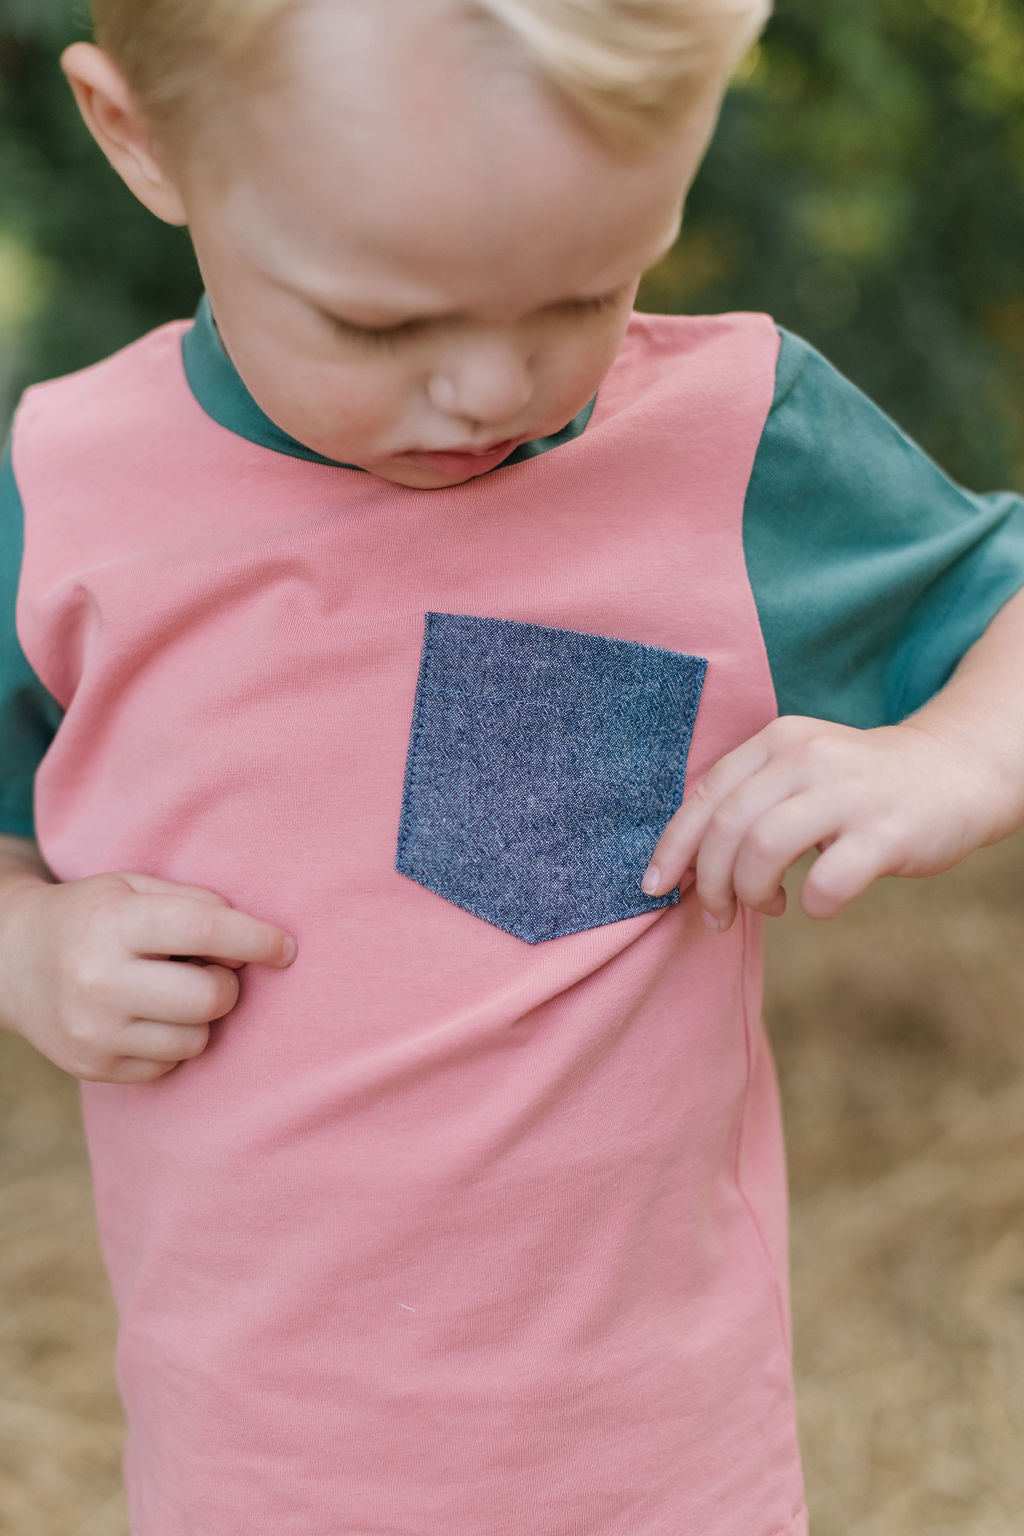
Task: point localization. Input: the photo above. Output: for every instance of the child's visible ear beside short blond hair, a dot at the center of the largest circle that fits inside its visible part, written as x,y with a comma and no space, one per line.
121,130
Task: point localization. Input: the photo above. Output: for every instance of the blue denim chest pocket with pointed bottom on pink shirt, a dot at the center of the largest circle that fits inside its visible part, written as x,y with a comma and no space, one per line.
543,769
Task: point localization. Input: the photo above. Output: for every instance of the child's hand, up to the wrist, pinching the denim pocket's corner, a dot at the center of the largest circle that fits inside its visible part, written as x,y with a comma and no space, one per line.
900,799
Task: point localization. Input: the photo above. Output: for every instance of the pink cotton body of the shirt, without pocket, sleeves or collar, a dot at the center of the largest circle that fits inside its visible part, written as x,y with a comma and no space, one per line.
446,1234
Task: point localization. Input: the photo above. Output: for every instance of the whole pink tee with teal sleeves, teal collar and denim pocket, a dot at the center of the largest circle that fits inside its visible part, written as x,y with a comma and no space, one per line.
475,1219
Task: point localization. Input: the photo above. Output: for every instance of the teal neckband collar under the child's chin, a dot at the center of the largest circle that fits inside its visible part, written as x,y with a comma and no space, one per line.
217,386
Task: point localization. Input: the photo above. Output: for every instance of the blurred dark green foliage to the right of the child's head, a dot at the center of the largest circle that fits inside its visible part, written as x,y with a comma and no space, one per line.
867,188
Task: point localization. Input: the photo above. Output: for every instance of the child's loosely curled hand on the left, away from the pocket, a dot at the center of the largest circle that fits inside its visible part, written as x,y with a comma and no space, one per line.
94,973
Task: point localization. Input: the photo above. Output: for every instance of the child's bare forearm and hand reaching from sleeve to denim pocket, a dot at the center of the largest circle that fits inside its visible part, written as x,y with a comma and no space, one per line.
908,799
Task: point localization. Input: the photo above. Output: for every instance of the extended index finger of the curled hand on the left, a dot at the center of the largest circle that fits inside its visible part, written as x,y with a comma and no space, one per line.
165,925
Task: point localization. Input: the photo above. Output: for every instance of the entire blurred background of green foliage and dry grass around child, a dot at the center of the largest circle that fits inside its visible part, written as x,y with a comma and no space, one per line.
867,188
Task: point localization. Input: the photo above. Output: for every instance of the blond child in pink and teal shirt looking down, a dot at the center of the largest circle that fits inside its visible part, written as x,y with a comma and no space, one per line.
388,607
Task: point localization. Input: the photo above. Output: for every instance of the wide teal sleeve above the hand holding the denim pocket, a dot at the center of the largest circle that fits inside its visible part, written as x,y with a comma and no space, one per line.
871,569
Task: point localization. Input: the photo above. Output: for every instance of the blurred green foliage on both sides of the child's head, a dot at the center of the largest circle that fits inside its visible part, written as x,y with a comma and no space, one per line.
867,188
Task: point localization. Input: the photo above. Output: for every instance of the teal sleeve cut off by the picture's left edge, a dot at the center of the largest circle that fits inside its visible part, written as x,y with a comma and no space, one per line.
30,715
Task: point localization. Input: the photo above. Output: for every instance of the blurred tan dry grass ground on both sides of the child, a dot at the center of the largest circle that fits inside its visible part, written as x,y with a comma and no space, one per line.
900,1042
